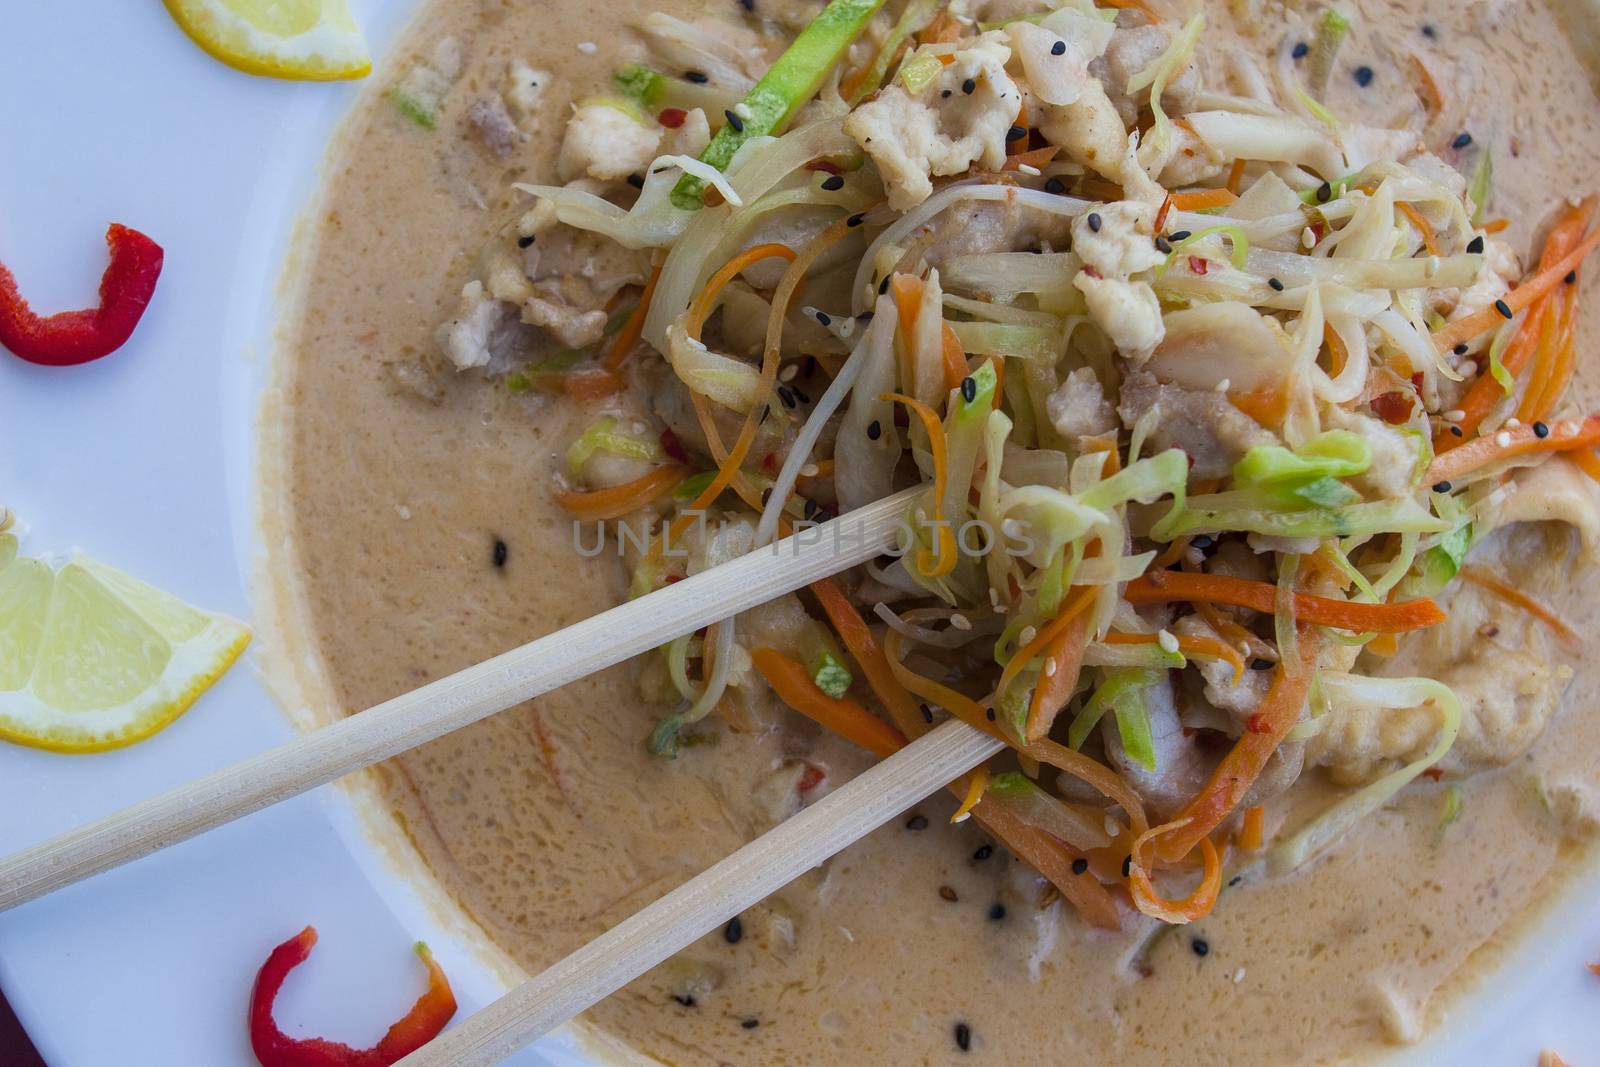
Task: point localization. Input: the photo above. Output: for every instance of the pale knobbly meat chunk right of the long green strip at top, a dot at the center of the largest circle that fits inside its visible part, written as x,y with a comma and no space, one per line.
956,121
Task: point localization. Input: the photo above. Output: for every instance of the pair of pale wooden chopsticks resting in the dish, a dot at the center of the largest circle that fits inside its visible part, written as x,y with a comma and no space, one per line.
548,663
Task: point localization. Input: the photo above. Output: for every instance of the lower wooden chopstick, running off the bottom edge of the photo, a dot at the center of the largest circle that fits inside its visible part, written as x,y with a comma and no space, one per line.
710,900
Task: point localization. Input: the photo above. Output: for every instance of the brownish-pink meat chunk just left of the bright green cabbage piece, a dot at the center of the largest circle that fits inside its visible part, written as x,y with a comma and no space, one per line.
1204,425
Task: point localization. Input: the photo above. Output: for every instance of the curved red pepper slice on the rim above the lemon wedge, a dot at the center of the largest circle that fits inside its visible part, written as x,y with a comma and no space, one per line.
73,338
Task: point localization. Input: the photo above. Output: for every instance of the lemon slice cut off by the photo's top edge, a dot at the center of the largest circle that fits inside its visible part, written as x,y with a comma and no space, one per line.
310,41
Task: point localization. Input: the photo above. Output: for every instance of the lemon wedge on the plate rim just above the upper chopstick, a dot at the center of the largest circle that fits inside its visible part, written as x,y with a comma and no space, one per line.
92,658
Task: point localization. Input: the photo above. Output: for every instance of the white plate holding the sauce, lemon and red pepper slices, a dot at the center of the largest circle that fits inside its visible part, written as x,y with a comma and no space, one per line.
145,460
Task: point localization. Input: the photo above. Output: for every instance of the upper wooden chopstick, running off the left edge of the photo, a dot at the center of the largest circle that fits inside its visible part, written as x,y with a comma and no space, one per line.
439,708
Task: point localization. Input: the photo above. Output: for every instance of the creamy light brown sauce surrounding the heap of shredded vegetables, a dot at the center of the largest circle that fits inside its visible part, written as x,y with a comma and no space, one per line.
550,823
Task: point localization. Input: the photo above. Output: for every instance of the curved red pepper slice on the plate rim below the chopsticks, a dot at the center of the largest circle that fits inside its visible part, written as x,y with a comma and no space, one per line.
274,1049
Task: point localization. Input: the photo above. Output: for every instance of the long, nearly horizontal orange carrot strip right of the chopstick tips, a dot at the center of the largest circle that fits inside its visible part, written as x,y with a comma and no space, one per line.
1242,593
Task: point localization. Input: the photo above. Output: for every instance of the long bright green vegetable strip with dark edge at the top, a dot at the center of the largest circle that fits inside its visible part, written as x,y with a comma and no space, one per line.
790,84
